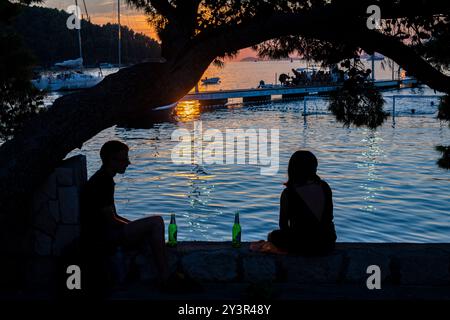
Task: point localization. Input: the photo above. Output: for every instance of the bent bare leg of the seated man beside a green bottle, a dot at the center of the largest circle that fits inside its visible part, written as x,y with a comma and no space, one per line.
150,229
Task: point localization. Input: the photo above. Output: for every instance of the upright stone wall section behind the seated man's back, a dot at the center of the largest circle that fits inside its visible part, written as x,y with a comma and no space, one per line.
55,218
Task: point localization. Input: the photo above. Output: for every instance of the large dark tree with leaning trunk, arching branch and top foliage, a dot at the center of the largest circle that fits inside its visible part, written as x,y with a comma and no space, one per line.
196,32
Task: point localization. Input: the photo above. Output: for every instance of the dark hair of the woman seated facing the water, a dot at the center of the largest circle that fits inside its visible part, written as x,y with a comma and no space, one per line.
302,168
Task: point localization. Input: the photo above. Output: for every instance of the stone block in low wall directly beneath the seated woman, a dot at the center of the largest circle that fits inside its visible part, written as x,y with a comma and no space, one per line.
324,269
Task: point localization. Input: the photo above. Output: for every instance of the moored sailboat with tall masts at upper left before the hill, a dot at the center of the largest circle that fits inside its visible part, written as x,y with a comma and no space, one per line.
73,77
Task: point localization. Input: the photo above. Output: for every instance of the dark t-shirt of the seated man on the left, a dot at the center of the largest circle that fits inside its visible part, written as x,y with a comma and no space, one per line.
99,228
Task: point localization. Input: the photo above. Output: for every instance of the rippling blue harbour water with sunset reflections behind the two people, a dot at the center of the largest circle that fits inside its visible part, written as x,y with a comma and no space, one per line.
386,184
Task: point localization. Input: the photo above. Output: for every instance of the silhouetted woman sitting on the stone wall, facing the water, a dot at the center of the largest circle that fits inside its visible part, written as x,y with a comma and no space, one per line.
306,210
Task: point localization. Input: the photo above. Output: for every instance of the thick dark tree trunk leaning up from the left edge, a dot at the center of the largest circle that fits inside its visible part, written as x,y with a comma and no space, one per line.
124,97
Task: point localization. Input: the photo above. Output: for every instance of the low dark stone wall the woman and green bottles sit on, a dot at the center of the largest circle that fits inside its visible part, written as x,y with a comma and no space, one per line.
400,264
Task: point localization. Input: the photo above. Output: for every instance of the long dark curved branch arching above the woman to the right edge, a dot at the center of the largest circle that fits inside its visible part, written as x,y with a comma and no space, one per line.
329,26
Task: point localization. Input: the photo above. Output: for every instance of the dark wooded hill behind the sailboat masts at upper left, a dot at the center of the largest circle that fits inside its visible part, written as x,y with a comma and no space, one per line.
45,33
